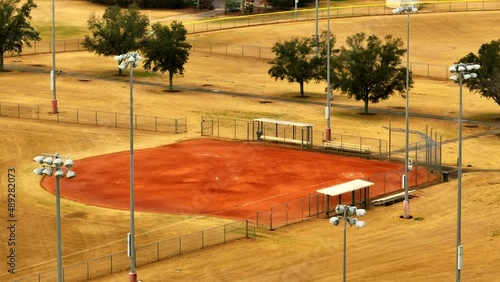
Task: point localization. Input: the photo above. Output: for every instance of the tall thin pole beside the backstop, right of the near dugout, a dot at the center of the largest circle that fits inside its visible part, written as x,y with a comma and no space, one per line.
406,202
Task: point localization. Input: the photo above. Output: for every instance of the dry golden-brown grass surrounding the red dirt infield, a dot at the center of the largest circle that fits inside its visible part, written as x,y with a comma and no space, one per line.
388,248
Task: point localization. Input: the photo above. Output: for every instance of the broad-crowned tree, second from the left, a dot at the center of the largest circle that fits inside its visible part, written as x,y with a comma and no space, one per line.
116,32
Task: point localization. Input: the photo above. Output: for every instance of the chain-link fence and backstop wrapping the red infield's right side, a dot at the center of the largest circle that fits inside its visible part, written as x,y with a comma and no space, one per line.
425,155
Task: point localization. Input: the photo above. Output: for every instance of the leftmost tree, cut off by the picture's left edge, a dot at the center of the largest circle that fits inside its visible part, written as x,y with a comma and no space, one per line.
15,27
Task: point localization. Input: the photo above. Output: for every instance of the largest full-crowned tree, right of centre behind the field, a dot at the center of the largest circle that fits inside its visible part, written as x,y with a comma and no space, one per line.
370,70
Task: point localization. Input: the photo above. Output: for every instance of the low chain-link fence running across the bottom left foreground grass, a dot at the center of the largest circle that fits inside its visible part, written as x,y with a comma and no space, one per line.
117,262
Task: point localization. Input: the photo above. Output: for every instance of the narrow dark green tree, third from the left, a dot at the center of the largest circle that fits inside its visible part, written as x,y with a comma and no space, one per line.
167,50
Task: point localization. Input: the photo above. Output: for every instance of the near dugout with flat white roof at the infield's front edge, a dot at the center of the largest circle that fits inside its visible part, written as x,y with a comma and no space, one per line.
351,186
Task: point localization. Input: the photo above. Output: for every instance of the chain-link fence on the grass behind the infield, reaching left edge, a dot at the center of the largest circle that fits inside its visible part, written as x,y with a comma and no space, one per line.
92,117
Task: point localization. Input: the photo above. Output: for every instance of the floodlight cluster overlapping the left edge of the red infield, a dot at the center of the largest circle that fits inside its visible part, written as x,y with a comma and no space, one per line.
53,164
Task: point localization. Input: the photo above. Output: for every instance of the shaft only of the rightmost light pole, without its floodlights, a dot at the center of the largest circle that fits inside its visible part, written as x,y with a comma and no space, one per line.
459,189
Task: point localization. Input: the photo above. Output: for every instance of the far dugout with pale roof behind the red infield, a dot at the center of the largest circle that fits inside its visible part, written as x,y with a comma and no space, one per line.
266,129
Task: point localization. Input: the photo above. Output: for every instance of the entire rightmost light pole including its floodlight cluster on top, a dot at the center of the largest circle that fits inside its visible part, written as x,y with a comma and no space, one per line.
461,72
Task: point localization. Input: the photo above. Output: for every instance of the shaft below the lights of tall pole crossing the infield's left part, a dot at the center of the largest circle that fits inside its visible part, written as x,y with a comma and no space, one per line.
133,274
